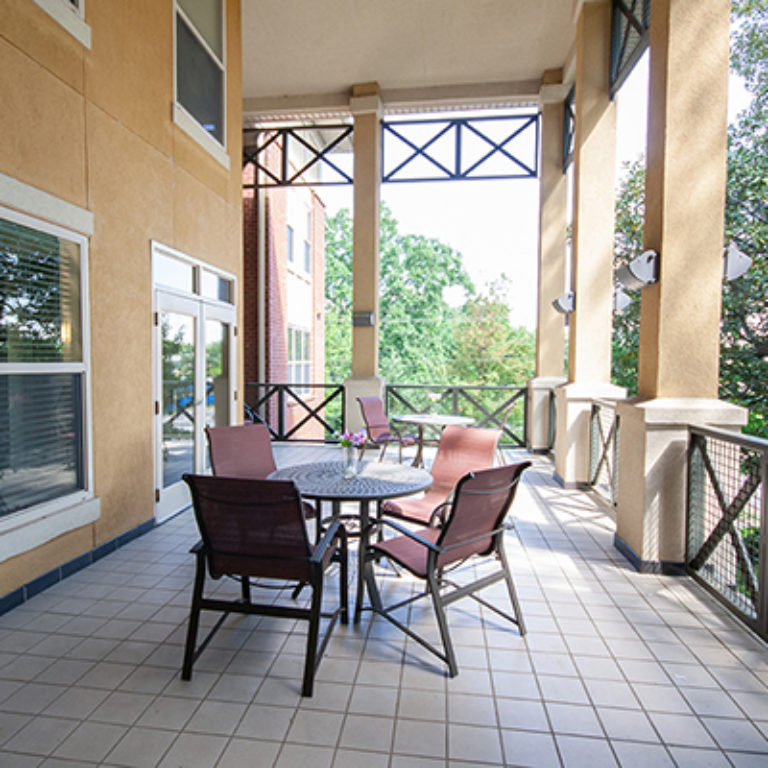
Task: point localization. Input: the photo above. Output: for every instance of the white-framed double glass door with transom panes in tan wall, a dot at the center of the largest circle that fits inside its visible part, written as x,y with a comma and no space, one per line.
194,375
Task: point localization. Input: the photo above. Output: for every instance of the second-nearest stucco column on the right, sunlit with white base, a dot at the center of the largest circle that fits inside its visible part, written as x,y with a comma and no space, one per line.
590,324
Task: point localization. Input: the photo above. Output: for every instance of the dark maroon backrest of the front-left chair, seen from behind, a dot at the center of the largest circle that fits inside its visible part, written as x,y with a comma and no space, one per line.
251,527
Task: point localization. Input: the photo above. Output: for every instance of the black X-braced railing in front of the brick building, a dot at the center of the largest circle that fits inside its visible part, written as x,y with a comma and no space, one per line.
306,412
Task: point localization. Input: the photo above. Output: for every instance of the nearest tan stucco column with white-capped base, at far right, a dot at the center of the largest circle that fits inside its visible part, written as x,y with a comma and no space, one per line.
680,314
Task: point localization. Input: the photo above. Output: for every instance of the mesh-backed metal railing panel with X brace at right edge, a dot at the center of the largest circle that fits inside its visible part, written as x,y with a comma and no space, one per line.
727,515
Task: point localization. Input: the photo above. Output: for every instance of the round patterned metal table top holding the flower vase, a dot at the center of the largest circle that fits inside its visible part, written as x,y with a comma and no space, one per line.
374,481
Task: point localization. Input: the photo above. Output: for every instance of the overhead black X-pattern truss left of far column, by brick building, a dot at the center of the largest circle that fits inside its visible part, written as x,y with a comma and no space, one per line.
298,155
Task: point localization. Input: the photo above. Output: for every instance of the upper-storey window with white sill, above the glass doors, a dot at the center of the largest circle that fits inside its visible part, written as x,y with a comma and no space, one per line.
200,70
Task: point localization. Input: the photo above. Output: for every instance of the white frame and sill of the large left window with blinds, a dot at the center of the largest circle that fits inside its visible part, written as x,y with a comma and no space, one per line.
28,528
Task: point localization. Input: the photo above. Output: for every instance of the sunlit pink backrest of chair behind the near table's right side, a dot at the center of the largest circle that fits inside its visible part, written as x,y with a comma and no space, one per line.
461,450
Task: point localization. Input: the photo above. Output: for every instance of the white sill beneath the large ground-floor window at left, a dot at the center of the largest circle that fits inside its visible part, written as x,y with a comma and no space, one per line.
25,531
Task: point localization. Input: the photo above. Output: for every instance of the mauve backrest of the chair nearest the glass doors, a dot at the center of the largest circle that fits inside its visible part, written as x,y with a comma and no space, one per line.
244,451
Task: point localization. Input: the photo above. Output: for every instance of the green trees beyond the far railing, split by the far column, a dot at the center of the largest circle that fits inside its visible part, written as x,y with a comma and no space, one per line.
422,338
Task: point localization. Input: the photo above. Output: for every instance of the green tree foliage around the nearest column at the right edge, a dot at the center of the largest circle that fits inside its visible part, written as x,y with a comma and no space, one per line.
744,336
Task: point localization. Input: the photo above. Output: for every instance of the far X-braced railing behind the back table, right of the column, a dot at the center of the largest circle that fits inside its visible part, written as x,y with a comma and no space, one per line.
497,407
